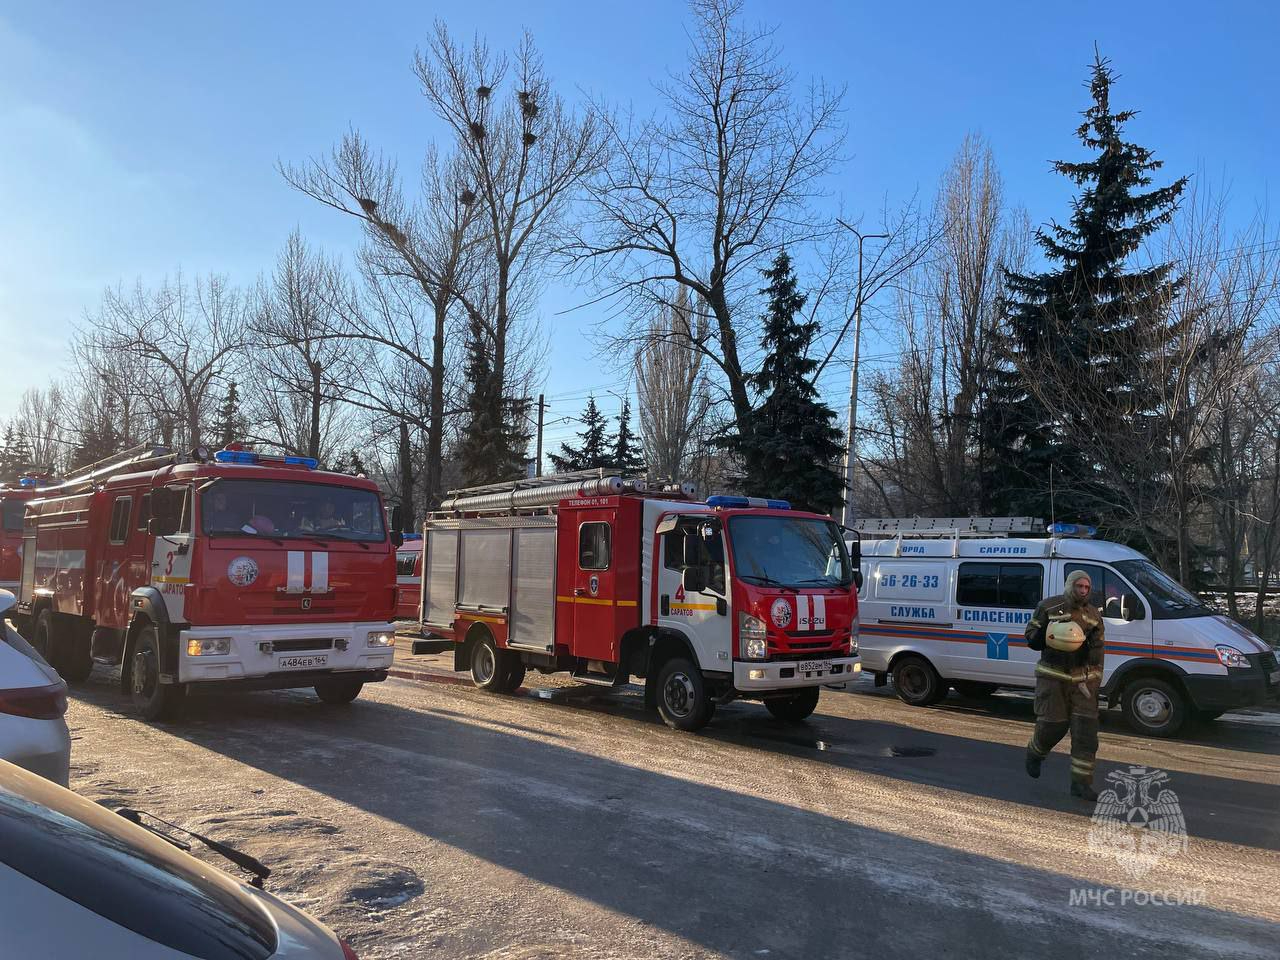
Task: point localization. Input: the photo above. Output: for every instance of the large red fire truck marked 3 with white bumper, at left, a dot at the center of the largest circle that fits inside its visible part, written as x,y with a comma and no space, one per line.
211,573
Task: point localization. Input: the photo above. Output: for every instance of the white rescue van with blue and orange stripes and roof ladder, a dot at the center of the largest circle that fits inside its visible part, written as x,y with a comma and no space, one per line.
945,602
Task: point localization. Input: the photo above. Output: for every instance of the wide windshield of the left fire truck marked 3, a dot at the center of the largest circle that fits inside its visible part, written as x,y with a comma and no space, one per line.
290,510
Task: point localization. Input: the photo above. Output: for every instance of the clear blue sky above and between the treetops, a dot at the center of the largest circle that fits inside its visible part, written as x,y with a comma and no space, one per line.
139,139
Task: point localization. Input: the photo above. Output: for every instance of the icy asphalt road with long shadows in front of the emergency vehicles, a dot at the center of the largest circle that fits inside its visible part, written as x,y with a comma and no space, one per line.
431,820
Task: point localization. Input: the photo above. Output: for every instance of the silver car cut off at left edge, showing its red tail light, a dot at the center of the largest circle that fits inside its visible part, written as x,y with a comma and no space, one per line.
33,702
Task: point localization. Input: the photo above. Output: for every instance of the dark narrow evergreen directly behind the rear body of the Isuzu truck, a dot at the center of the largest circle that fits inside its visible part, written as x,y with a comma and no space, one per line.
496,438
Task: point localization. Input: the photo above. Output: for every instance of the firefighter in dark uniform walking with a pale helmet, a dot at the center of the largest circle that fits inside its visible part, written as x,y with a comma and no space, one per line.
1068,633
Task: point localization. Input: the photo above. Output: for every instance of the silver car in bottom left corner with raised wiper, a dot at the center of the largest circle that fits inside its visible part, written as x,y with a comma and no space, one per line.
81,881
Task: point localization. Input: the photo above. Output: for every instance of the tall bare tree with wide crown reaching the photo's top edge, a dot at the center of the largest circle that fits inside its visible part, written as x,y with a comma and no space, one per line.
706,195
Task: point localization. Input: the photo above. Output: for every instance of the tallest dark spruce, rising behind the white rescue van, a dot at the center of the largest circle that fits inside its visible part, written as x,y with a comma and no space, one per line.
1084,321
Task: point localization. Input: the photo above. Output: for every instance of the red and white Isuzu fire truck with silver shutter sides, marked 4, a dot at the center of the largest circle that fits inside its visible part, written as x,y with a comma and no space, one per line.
732,598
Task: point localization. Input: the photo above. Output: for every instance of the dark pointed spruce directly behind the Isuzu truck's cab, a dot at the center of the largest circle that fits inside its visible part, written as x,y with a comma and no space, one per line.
793,450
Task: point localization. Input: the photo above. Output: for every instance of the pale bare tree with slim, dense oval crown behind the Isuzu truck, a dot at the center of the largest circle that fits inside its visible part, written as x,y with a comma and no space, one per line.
674,397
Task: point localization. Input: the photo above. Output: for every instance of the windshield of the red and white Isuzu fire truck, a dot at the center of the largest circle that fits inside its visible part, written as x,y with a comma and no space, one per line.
789,552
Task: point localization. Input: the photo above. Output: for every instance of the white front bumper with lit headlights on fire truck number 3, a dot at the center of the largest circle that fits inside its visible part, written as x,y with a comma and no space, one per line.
281,652
